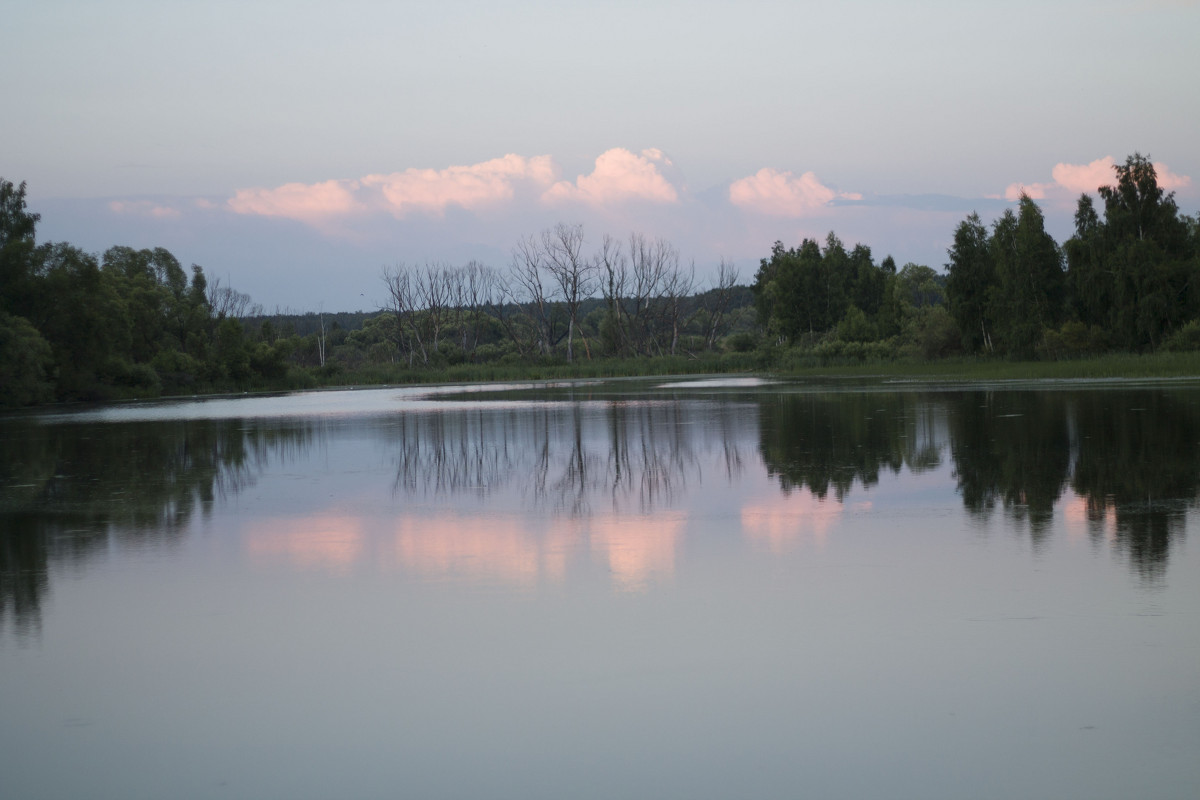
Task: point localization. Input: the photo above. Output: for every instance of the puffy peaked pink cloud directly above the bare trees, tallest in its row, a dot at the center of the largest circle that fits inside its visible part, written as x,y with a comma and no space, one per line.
620,176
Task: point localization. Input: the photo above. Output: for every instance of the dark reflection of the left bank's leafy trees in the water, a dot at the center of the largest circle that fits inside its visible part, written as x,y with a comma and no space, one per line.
69,491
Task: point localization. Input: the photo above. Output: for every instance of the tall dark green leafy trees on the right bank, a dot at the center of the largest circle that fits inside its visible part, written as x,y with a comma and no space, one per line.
1130,281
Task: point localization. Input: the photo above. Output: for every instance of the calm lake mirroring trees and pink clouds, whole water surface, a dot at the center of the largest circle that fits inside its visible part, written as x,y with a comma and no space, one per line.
706,588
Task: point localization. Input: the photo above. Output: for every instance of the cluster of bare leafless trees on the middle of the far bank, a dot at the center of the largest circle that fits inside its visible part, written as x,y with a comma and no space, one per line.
628,299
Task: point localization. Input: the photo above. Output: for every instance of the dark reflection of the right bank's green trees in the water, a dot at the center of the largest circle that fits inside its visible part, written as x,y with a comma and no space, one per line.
1131,455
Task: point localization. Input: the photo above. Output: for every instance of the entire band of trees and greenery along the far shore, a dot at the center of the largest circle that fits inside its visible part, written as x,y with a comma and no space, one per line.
1120,299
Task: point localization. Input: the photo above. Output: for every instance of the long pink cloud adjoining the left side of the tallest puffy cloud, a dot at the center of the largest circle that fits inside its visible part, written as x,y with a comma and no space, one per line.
470,187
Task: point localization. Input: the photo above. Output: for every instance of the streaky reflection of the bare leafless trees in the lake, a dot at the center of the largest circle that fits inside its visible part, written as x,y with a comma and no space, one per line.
568,458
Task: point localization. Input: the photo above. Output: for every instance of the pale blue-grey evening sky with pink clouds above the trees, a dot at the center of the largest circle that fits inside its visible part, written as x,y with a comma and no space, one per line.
296,149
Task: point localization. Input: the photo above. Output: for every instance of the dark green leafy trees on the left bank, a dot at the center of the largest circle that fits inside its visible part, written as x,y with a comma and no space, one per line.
130,323
